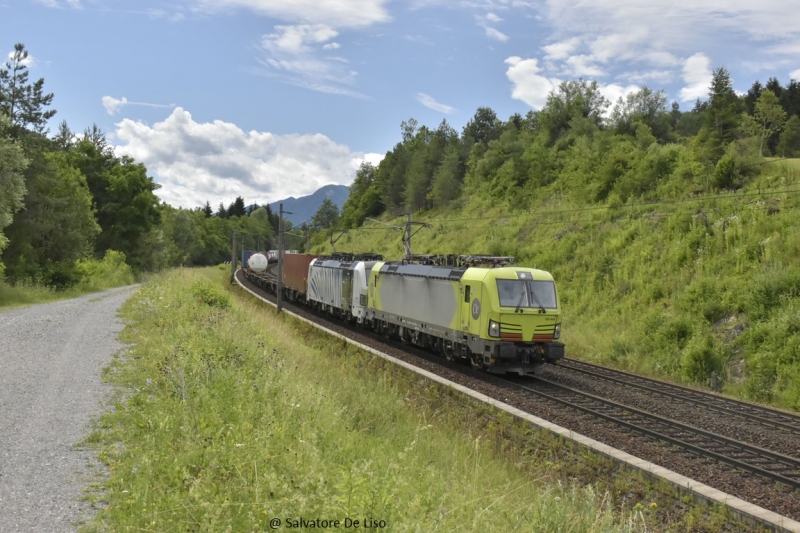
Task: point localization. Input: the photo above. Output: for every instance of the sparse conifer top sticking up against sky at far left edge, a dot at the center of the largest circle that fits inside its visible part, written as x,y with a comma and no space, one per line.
21,101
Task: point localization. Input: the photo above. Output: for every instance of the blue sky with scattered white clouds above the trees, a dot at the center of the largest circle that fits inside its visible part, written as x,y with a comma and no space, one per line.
267,99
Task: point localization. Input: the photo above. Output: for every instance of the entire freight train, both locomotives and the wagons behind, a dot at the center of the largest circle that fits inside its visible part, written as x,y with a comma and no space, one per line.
500,318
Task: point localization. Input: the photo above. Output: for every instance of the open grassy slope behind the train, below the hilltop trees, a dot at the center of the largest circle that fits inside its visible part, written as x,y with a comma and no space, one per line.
679,289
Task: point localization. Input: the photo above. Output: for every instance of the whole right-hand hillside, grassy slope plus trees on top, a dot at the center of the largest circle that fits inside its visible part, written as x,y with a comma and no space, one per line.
672,234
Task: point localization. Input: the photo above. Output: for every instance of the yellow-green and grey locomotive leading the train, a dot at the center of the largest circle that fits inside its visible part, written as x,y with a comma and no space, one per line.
501,318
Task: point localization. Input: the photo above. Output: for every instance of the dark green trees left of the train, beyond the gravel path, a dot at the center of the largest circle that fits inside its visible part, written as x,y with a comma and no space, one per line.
67,198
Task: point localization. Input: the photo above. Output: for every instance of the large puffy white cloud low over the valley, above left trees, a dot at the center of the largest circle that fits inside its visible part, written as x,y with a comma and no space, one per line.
217,161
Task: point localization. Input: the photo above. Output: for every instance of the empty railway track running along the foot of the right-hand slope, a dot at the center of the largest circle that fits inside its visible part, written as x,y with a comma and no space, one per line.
755,414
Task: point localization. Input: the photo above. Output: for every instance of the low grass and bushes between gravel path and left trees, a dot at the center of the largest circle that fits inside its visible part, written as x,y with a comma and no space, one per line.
96,275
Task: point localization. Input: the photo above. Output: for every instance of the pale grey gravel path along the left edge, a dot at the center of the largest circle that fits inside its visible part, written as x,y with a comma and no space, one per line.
51,357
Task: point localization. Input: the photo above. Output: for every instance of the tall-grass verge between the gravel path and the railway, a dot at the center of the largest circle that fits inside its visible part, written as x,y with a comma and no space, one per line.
229,416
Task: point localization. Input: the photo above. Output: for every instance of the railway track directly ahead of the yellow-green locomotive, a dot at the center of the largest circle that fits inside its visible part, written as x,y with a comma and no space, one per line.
739,455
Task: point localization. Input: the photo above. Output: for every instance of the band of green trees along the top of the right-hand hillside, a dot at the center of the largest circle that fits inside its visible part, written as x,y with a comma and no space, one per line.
637,148
